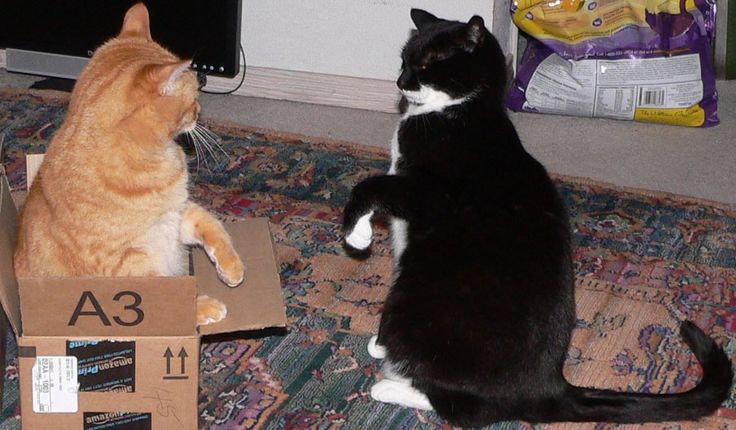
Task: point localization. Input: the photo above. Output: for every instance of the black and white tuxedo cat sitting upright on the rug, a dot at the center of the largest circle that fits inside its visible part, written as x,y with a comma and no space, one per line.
479,318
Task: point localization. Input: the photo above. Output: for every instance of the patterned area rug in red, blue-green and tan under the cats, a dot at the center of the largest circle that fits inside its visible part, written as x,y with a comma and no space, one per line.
644,261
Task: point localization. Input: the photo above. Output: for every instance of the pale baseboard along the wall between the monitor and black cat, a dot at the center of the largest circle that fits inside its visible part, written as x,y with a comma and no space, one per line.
305,87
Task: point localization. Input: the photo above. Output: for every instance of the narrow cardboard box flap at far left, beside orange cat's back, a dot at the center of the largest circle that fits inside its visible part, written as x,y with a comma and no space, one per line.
8,231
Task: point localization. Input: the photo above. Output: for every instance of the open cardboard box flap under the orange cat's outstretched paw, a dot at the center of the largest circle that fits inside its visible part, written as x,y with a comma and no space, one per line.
258,302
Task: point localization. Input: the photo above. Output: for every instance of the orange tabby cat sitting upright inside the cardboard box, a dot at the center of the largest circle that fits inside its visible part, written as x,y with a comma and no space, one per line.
111,197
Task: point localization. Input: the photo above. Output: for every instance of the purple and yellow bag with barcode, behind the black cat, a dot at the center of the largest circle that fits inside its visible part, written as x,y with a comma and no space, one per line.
642,60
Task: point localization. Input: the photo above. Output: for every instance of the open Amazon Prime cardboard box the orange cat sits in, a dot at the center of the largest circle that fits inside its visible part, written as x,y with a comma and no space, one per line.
123,353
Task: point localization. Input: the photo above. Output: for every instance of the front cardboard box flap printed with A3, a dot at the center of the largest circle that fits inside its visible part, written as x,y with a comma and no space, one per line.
109,307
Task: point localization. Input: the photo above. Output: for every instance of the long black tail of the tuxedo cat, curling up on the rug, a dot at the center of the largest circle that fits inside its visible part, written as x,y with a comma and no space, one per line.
586,404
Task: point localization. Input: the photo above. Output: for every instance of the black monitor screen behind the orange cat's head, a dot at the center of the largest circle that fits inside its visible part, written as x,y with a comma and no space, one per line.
206,31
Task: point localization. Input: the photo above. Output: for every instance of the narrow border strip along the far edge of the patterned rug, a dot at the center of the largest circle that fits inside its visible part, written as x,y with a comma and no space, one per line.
730,209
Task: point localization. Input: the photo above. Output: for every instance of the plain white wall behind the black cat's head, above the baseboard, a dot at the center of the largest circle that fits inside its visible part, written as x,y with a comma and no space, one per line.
359,38
